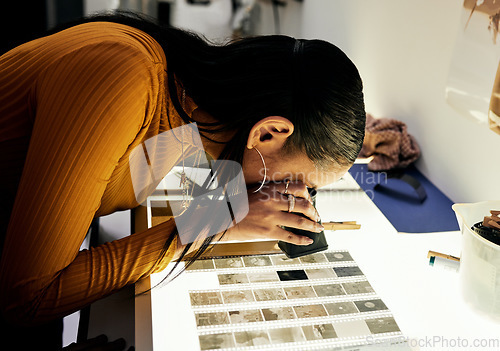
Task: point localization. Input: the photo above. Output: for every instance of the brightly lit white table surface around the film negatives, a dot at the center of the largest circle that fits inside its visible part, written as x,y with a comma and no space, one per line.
426,301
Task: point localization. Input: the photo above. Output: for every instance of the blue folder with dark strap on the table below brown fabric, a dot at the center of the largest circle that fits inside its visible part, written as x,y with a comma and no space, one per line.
408,199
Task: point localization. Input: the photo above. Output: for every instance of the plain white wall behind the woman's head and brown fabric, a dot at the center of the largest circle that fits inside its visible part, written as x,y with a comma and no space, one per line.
403,50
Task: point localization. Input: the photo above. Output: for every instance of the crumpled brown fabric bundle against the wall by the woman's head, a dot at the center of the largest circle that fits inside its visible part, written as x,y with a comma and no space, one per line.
389,142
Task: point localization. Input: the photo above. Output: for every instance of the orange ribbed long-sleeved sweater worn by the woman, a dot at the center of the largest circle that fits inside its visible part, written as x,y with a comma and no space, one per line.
72,107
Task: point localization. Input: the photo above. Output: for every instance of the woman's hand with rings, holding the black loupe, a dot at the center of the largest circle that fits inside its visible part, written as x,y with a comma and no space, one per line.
268,212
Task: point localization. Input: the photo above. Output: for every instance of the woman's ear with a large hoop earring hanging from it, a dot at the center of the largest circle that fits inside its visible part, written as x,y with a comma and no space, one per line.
270,133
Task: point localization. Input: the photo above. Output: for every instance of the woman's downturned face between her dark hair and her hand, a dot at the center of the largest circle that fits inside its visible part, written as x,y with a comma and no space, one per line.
296,167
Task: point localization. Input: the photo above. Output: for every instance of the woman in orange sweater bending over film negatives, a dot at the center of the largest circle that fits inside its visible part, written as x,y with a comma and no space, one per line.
73,106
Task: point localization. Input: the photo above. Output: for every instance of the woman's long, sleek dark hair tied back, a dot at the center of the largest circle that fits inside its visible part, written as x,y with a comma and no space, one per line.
310,82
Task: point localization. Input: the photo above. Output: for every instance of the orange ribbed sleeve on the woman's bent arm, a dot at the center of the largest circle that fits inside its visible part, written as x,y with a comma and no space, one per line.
90,106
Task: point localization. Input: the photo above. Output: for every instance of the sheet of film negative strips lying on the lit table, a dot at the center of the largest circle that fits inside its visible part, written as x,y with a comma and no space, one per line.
316,302
